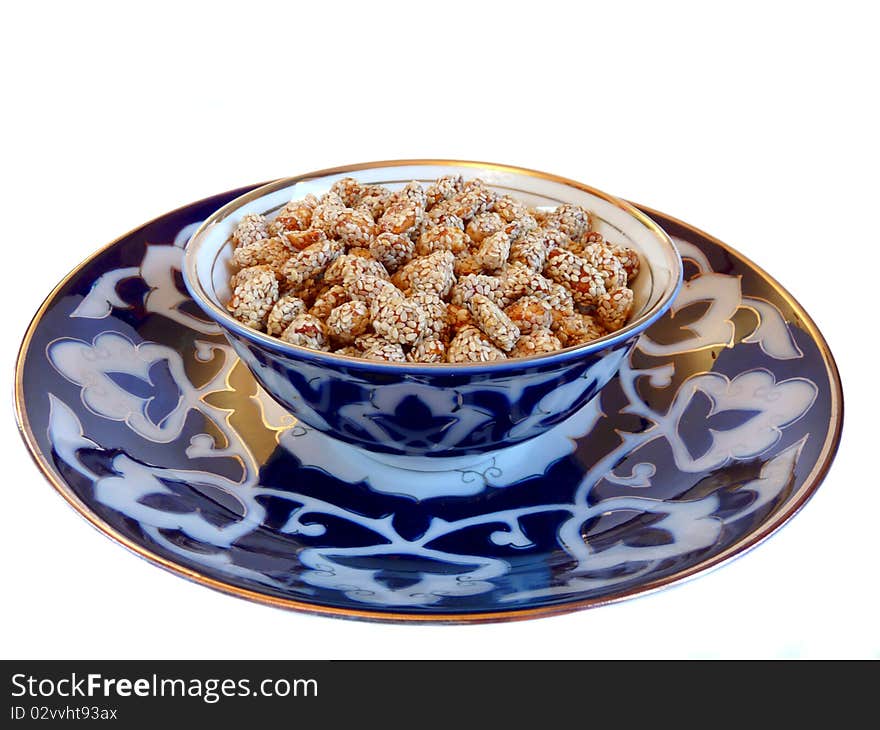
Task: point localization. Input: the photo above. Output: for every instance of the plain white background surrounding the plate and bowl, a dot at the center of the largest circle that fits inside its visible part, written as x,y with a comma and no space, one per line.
756,123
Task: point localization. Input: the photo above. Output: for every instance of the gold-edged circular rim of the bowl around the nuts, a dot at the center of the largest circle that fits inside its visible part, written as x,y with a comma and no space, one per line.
228,322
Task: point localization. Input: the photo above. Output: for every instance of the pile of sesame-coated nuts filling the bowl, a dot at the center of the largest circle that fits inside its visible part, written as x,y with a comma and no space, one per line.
448,273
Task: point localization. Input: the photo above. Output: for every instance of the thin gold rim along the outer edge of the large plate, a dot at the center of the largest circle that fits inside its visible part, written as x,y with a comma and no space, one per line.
808,488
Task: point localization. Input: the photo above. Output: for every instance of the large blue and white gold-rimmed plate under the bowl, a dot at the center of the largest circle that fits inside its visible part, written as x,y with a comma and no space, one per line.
715,433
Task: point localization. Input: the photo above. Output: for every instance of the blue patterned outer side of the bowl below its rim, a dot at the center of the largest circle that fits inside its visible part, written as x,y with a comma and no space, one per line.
454,414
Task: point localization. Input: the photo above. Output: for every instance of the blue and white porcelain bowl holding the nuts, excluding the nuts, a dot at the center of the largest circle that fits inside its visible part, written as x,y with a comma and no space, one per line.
426,411
